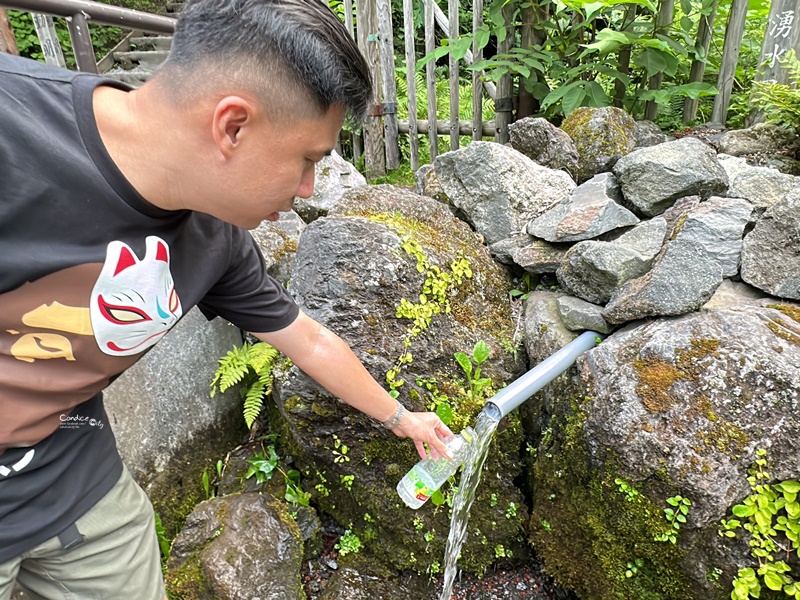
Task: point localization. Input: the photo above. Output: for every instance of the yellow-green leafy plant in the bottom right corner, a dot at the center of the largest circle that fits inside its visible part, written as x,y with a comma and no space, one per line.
771,514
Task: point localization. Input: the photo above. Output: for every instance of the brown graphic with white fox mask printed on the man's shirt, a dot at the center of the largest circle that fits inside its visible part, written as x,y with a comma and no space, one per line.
74,330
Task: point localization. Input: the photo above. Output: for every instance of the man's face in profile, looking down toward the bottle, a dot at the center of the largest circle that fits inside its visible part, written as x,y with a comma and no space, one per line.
272,166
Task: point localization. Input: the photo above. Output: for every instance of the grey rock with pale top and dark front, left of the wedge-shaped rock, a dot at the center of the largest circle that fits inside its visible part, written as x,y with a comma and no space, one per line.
595,270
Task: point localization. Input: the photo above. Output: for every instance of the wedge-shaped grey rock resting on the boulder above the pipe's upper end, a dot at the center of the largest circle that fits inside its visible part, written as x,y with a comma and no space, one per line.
683,278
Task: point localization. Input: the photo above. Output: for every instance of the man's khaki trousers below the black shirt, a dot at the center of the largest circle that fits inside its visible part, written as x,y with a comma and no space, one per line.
111,554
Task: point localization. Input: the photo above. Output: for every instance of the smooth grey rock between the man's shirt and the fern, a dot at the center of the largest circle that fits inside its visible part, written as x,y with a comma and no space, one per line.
163,418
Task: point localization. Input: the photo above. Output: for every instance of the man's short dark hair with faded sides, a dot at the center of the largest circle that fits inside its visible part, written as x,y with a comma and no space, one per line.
294,54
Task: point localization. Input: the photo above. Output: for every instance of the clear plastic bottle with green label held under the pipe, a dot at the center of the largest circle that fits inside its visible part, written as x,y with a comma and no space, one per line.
428,475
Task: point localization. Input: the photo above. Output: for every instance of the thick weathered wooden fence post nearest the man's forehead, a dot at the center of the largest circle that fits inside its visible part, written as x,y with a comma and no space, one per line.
367,19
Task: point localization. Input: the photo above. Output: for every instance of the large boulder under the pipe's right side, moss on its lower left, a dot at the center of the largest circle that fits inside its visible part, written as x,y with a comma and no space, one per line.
672,408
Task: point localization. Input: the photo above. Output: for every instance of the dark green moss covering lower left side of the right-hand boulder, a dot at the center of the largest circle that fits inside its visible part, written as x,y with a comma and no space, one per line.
586,530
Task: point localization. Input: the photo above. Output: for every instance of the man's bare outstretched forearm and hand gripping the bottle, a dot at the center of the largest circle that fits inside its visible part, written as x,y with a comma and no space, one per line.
326,358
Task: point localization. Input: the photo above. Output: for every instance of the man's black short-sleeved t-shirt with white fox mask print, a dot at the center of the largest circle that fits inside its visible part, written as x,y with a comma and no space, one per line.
91,276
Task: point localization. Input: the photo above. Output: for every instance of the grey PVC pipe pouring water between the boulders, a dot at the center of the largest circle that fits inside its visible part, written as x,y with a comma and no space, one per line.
510,397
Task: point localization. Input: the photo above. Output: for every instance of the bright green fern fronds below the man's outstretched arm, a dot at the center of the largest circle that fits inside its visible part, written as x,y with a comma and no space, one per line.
251,366
